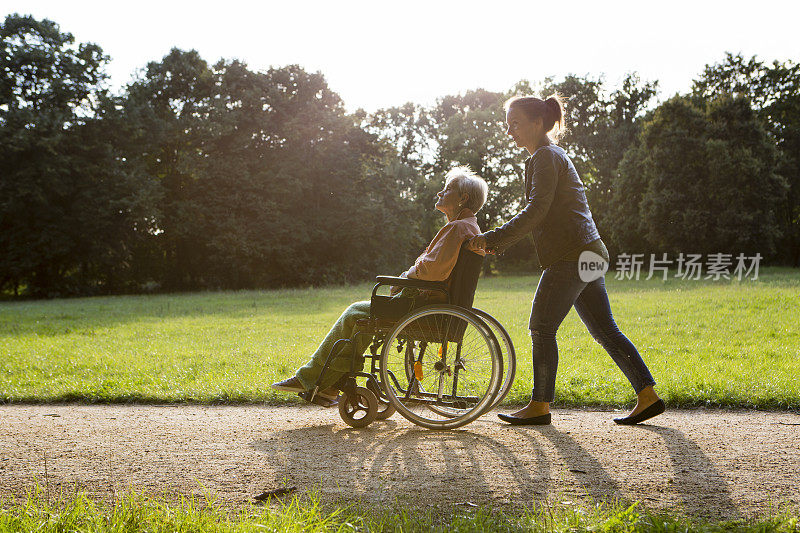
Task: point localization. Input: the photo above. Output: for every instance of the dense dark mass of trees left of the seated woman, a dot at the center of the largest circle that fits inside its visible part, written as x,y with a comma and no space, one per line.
197,177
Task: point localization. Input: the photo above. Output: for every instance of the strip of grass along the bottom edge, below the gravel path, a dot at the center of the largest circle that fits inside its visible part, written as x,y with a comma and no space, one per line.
305,514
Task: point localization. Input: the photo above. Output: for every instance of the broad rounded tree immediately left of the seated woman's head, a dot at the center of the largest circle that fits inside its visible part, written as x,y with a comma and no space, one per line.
296,184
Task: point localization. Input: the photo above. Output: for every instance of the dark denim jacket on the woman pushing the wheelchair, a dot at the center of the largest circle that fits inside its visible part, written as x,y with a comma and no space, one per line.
557,213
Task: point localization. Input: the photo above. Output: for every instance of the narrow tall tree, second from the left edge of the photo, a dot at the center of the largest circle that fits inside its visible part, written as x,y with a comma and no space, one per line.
170,103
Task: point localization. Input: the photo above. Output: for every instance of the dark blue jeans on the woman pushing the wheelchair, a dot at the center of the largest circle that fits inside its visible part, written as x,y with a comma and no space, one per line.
561,287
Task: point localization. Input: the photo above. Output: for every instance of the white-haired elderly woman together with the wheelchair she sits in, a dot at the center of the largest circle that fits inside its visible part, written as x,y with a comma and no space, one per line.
428,311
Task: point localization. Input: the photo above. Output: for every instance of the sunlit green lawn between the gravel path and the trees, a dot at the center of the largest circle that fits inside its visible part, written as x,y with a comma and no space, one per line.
723,343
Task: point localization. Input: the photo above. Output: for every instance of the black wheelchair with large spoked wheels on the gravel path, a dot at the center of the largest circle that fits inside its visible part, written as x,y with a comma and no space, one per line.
440,365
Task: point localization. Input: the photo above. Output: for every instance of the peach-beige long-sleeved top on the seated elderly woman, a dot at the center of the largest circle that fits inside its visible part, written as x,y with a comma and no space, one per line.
437,261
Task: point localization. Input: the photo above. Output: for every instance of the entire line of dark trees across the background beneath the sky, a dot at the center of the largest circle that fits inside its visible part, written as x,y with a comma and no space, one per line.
216,176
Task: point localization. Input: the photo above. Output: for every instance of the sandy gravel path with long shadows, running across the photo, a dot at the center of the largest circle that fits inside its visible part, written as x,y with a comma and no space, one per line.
710,463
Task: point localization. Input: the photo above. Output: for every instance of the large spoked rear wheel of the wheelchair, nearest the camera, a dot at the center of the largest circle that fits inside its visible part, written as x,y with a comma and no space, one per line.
441,367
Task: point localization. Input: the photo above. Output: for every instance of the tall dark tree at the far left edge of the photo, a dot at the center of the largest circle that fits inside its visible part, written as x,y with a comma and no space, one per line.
68,201
